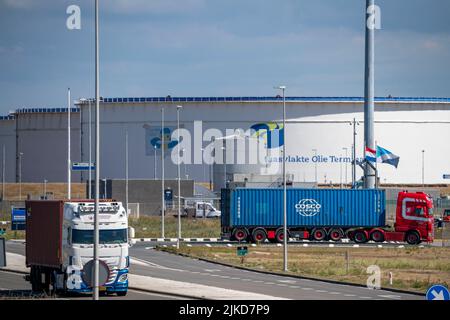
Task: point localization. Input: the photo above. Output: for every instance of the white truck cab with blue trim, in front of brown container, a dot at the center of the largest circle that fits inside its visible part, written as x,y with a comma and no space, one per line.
77,245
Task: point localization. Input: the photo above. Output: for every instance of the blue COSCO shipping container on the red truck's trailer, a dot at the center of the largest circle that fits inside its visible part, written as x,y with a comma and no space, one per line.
305,208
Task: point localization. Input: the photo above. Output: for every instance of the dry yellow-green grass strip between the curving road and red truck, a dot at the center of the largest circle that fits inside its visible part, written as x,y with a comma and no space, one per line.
413,269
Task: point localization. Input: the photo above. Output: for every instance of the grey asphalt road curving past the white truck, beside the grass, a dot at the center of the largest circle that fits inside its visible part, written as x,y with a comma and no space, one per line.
149,262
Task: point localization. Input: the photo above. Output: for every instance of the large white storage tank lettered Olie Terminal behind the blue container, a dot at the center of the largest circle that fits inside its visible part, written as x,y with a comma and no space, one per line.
319,136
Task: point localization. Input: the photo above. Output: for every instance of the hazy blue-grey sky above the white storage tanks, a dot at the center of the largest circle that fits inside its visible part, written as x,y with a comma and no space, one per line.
219,48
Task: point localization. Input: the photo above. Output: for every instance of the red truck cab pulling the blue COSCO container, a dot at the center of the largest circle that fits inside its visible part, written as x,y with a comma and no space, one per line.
414,221
